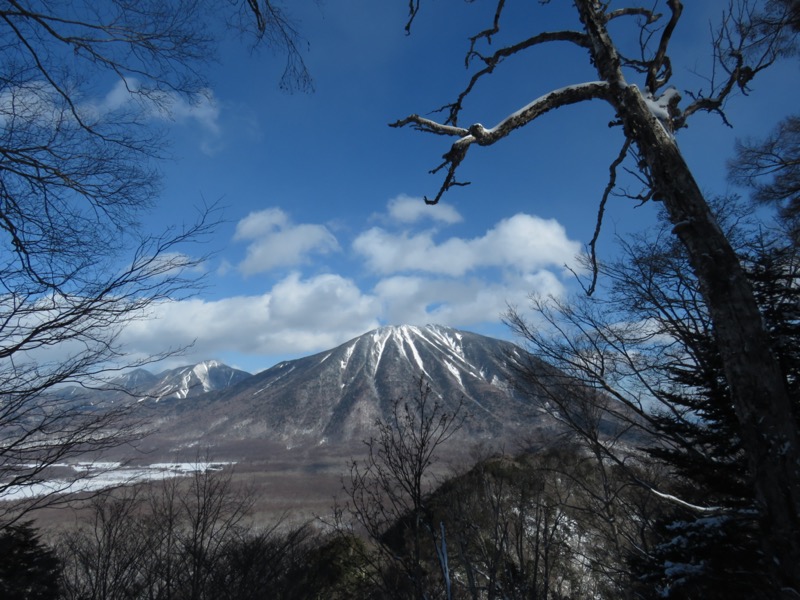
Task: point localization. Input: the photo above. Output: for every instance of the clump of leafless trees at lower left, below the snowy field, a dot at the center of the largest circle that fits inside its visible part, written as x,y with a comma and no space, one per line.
179,538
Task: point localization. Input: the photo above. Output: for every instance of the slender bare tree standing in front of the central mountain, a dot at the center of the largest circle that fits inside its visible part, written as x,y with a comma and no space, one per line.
387,494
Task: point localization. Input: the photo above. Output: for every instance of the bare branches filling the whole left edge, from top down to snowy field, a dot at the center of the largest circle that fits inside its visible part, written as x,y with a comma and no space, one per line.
77,172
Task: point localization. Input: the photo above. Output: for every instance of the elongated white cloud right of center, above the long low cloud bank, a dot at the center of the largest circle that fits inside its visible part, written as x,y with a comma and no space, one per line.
523,242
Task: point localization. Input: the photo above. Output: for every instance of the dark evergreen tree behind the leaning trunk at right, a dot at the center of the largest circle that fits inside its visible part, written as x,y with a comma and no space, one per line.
715,552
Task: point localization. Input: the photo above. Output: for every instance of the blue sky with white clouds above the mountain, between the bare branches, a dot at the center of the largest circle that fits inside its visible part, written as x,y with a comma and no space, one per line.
325,233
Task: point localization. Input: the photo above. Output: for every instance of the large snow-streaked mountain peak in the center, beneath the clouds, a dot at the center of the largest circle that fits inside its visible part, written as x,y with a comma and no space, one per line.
337,395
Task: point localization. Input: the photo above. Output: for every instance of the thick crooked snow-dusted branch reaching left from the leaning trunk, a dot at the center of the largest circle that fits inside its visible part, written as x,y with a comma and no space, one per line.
479,134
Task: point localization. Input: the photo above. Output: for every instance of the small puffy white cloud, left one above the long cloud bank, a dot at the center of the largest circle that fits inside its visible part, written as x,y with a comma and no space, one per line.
276,242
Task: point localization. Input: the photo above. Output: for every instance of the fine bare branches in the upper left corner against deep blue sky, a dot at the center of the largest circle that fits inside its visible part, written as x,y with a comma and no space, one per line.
77,169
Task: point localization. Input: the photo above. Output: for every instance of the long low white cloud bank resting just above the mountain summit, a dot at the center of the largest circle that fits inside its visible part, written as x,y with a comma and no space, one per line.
303,316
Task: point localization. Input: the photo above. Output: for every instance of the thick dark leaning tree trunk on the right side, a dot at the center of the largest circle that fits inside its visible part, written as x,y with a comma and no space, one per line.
758,388
